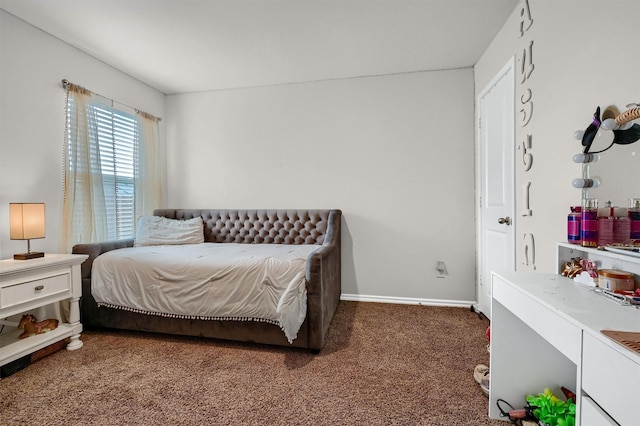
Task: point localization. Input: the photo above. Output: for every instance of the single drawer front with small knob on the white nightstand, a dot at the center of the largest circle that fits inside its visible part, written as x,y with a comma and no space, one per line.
30,291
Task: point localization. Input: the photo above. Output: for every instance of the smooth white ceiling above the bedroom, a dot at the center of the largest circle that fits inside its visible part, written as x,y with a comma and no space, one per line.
179,46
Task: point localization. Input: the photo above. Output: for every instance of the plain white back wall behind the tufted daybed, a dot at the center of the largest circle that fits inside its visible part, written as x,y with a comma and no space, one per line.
395,153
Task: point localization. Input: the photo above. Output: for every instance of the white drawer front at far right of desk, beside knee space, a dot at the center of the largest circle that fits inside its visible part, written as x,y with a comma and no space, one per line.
611,379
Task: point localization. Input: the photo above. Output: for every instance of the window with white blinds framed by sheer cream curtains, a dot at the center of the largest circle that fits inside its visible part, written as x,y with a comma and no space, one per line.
113,169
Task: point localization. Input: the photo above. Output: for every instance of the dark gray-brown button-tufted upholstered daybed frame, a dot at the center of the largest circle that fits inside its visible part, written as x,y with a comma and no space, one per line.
323,275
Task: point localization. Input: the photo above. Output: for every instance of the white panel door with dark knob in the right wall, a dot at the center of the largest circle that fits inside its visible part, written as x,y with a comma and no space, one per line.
496,163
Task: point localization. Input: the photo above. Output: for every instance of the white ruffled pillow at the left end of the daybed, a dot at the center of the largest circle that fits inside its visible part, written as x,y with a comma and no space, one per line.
157,230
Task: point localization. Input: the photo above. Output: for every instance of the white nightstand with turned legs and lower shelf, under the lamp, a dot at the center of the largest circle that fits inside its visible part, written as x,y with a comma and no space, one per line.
30,284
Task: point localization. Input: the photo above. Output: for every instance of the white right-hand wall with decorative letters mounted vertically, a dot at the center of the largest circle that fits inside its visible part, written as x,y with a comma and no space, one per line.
585,55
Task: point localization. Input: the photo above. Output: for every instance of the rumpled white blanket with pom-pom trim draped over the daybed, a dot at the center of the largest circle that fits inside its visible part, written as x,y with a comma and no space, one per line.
262,282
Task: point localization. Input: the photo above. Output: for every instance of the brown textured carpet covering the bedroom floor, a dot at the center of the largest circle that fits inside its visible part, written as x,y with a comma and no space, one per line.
383,364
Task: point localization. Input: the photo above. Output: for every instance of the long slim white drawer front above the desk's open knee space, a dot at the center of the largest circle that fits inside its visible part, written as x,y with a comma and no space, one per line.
562,334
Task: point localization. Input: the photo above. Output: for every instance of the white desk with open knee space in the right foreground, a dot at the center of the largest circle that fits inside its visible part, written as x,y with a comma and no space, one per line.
545,333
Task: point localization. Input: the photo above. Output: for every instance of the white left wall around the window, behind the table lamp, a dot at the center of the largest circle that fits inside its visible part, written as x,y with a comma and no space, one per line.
32,116
